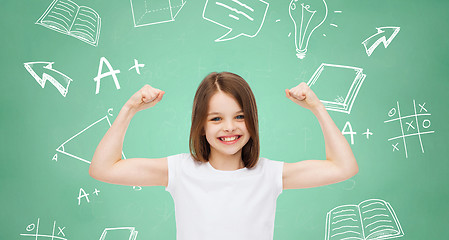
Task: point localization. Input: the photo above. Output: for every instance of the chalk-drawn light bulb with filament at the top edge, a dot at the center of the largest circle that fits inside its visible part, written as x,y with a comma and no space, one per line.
307,16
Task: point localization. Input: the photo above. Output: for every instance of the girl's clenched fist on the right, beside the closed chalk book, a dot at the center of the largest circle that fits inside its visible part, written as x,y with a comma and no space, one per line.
303,96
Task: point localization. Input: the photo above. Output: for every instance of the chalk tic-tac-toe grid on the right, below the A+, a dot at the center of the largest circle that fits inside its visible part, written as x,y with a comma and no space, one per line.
414,125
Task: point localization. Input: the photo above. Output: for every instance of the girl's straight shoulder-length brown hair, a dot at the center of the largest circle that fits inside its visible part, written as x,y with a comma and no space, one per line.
235,86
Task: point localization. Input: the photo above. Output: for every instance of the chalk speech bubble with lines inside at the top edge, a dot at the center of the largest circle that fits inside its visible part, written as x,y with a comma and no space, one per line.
241,17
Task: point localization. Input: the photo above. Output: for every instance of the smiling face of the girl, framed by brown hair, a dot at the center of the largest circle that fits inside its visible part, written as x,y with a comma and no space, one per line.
225,127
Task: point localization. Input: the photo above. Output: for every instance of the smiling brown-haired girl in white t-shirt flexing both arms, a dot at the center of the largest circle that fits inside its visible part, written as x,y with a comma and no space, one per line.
223,189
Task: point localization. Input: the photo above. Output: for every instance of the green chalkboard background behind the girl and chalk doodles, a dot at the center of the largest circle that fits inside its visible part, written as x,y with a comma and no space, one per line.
41,185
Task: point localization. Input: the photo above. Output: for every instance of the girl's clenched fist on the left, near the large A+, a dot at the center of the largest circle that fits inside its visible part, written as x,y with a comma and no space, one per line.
145,98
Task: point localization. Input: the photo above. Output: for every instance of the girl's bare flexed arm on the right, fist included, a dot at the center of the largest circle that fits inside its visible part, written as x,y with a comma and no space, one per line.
340,163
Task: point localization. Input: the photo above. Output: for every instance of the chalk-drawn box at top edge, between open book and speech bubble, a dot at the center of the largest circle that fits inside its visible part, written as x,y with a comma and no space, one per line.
147,12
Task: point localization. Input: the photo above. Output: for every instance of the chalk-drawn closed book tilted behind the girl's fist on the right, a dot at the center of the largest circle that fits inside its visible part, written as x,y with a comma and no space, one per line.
345,81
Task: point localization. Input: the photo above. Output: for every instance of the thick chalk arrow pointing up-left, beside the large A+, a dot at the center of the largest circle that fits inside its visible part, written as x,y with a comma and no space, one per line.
45,69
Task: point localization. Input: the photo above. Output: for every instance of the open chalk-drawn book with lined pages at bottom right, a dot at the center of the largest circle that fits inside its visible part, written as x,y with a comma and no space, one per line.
369,220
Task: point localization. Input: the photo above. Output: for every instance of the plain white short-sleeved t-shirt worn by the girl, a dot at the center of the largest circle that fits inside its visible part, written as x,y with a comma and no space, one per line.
212,204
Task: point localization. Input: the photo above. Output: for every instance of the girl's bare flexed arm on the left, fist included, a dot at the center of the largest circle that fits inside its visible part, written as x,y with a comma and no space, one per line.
107,165
